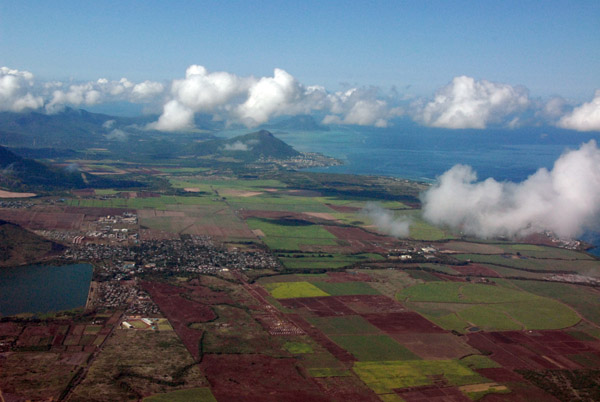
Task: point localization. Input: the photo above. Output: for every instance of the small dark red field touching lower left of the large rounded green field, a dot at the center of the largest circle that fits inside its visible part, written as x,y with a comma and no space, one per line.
399,323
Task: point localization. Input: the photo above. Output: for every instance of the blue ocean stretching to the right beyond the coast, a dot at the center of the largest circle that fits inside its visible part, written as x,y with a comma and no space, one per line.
409,151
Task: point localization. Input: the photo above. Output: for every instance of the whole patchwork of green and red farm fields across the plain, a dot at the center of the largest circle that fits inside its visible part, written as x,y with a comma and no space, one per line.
340,314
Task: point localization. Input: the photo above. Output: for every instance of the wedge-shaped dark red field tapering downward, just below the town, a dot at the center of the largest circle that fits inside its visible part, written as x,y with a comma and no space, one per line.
180,312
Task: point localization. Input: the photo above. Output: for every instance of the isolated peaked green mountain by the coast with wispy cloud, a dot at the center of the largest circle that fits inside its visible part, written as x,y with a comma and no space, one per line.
247,148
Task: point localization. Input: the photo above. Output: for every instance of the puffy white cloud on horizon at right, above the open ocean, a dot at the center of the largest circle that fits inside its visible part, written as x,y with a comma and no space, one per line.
467,103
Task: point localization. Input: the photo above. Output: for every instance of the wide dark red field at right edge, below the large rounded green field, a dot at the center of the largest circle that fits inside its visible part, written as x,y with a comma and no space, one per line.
534,350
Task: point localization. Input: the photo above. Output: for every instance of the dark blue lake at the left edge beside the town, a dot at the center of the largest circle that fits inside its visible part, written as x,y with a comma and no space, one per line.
43,288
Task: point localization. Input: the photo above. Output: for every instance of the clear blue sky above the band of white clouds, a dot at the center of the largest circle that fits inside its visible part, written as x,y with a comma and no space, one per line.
551,47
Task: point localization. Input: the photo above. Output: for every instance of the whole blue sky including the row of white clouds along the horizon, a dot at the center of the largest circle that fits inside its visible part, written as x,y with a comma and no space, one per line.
452,64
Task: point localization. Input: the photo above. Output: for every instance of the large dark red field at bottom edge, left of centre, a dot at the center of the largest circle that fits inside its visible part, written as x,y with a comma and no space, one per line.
258,378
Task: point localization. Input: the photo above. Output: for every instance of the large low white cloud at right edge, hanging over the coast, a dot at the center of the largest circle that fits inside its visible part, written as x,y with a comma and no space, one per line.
565,200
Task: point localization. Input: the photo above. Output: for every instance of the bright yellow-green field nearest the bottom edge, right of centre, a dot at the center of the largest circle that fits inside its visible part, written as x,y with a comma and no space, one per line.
385,376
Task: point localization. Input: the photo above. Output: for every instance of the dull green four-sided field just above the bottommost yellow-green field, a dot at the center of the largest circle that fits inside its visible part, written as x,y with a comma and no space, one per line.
374,347
